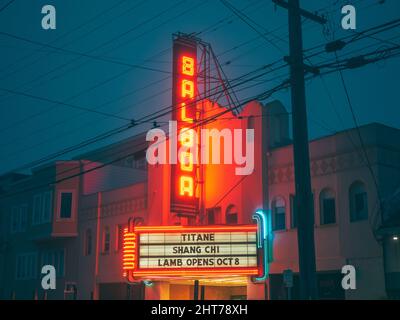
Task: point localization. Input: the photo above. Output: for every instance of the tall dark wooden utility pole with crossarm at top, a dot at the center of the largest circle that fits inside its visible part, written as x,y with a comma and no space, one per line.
304,197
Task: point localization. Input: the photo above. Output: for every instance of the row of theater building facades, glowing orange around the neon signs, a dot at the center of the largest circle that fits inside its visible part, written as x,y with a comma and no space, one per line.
78,225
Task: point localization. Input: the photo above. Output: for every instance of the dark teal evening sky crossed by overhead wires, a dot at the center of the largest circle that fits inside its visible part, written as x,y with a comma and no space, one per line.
31,129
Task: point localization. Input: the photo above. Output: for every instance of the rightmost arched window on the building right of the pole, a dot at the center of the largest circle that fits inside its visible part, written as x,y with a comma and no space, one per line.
358,202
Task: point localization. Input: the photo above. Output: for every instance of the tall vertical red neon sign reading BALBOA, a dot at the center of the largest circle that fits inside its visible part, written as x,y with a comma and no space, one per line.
184,92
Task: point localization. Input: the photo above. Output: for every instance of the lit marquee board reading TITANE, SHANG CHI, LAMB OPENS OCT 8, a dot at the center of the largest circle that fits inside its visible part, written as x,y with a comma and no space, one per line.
201,251
